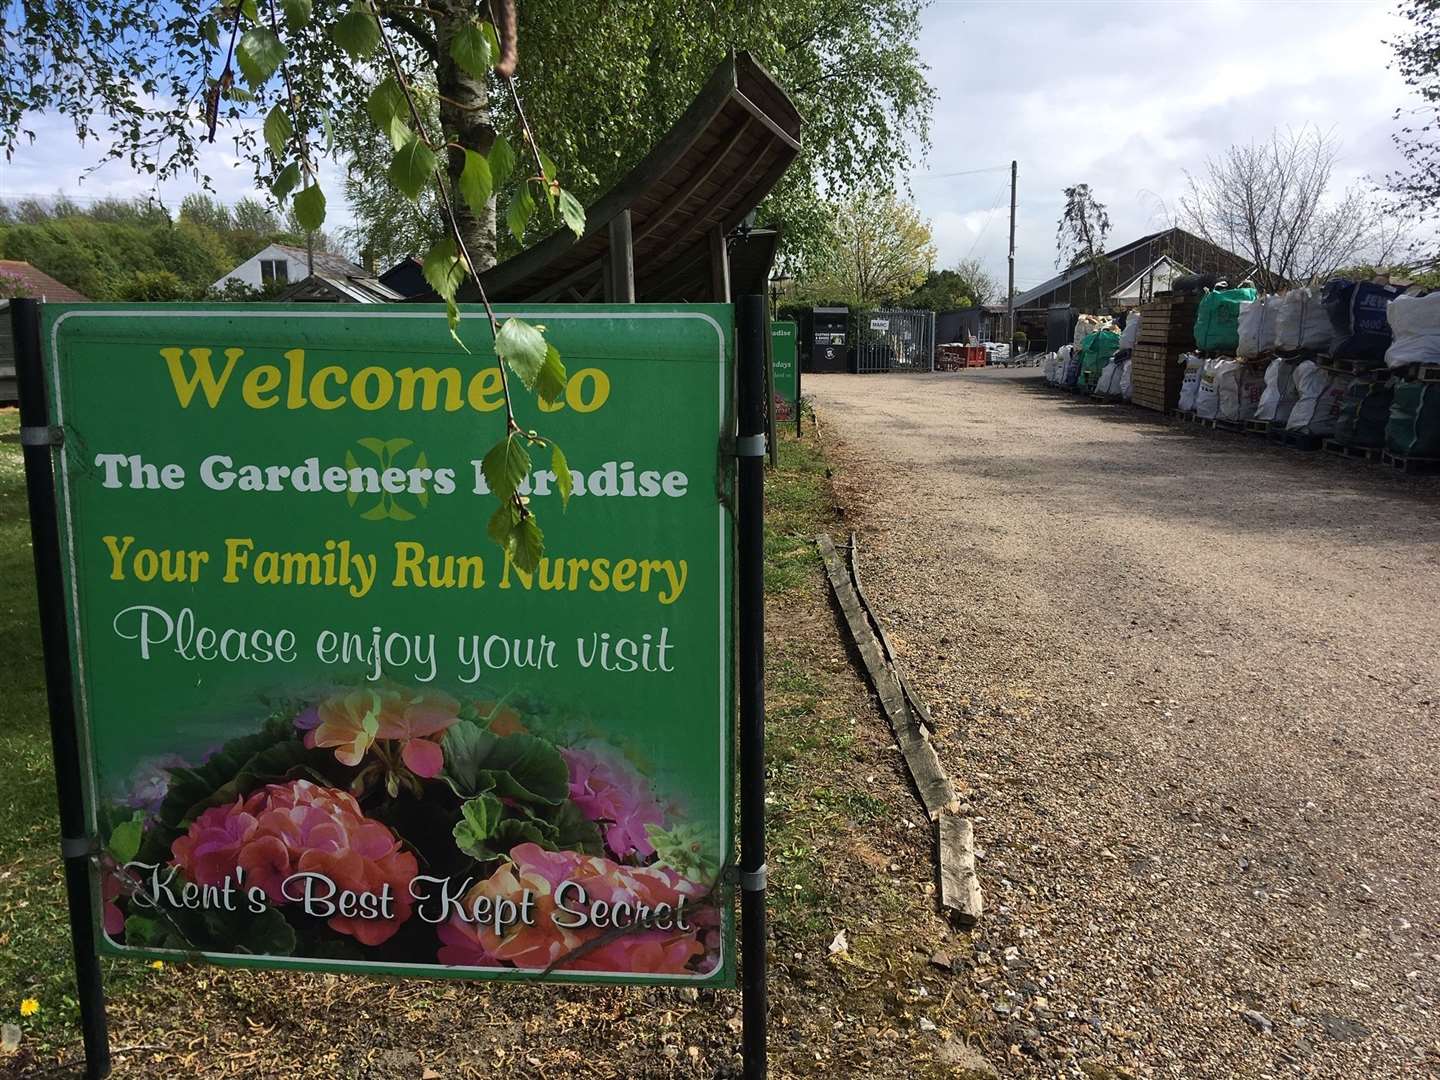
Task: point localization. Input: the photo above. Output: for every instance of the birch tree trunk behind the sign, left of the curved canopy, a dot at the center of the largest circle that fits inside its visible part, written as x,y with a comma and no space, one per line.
466,120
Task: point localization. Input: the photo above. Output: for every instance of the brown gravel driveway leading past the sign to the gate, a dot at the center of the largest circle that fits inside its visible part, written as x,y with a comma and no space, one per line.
1193,683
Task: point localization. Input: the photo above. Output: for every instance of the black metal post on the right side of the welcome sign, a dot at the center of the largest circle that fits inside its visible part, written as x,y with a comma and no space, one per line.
752,352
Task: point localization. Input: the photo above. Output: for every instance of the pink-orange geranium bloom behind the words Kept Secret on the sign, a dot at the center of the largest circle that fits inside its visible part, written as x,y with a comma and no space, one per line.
545,944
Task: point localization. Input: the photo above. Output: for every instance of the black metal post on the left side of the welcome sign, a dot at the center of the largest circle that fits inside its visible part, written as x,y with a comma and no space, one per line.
40,443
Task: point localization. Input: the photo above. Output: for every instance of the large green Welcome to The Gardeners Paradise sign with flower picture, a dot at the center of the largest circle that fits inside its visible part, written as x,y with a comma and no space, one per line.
326,724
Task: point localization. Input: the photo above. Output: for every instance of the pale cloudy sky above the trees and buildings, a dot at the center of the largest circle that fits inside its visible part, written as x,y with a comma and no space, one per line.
1125,97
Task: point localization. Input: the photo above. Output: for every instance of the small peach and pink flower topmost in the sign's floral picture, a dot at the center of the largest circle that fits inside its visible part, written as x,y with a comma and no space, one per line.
354,722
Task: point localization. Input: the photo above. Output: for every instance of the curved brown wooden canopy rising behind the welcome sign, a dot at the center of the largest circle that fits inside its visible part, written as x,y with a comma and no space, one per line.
675,208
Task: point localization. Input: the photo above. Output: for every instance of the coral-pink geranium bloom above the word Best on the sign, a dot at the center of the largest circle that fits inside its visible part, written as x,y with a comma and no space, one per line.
303,827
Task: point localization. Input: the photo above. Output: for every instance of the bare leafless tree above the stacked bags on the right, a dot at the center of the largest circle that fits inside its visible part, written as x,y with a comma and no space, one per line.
1272,202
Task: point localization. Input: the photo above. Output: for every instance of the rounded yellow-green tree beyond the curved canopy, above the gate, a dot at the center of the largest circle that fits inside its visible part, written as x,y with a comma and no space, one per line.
881,251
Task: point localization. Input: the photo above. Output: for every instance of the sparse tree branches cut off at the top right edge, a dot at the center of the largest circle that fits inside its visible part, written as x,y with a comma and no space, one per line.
1418,57
